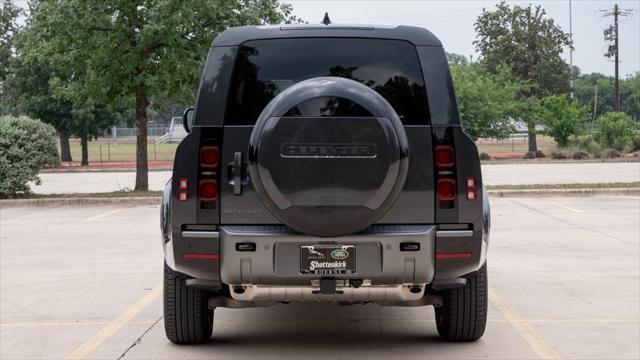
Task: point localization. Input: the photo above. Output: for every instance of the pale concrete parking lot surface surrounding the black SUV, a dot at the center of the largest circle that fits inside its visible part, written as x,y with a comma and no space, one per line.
564,277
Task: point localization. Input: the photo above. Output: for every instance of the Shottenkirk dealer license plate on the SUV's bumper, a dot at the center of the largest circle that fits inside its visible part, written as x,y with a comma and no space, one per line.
328,259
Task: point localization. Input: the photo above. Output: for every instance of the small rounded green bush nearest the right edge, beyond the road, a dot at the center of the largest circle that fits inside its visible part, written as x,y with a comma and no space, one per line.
615,130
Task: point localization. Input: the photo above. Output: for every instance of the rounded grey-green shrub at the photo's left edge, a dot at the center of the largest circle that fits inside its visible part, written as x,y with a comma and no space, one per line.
25,146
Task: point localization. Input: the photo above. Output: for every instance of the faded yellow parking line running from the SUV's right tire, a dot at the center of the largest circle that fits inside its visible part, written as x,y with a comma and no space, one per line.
522,327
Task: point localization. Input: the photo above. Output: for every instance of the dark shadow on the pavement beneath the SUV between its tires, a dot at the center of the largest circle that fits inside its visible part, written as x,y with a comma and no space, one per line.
327,331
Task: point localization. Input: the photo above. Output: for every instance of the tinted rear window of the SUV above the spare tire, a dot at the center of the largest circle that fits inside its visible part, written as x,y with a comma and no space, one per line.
264,68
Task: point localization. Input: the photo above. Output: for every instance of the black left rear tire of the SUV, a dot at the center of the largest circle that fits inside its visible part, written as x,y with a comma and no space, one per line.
187,318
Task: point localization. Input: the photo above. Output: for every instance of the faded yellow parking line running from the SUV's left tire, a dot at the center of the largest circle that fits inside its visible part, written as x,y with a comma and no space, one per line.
92,343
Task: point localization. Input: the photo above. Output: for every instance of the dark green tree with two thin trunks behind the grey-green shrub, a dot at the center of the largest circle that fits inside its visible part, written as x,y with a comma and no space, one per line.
49,91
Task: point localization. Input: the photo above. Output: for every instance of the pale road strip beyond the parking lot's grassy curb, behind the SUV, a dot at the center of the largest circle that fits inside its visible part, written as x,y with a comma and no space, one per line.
493,174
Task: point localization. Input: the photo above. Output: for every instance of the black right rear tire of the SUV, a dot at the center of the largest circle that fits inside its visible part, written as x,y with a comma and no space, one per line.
463,314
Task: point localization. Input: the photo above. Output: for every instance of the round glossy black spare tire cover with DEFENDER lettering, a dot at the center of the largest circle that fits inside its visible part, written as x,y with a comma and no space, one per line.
328,176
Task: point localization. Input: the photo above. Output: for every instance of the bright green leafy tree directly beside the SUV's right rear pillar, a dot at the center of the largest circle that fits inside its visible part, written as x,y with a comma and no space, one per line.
487,102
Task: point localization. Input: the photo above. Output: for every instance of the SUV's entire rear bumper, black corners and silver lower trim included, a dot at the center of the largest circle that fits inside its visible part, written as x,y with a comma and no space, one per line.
270,270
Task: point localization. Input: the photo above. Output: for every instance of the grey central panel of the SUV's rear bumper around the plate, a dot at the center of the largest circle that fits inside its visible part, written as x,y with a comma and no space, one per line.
276,259
